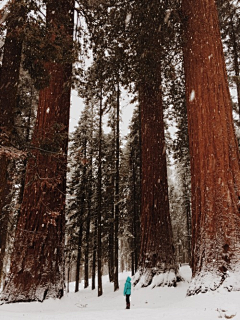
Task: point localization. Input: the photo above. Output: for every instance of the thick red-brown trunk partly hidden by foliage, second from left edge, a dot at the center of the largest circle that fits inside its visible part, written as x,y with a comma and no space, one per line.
37,266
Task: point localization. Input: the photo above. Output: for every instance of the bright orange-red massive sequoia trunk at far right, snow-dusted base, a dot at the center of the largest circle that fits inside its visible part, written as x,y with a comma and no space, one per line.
214,153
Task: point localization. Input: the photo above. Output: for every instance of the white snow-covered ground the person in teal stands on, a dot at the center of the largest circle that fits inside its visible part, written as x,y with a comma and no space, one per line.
146,303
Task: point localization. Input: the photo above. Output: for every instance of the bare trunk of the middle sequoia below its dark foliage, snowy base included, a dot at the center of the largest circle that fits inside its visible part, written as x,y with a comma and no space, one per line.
157,263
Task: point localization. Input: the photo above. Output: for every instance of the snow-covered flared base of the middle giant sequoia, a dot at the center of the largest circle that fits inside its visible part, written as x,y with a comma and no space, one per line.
156,278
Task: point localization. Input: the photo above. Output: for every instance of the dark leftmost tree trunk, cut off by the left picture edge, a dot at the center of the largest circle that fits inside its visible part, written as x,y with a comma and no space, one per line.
9,79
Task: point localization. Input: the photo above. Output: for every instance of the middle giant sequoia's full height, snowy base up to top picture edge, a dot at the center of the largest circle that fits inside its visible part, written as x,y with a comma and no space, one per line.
157,256
